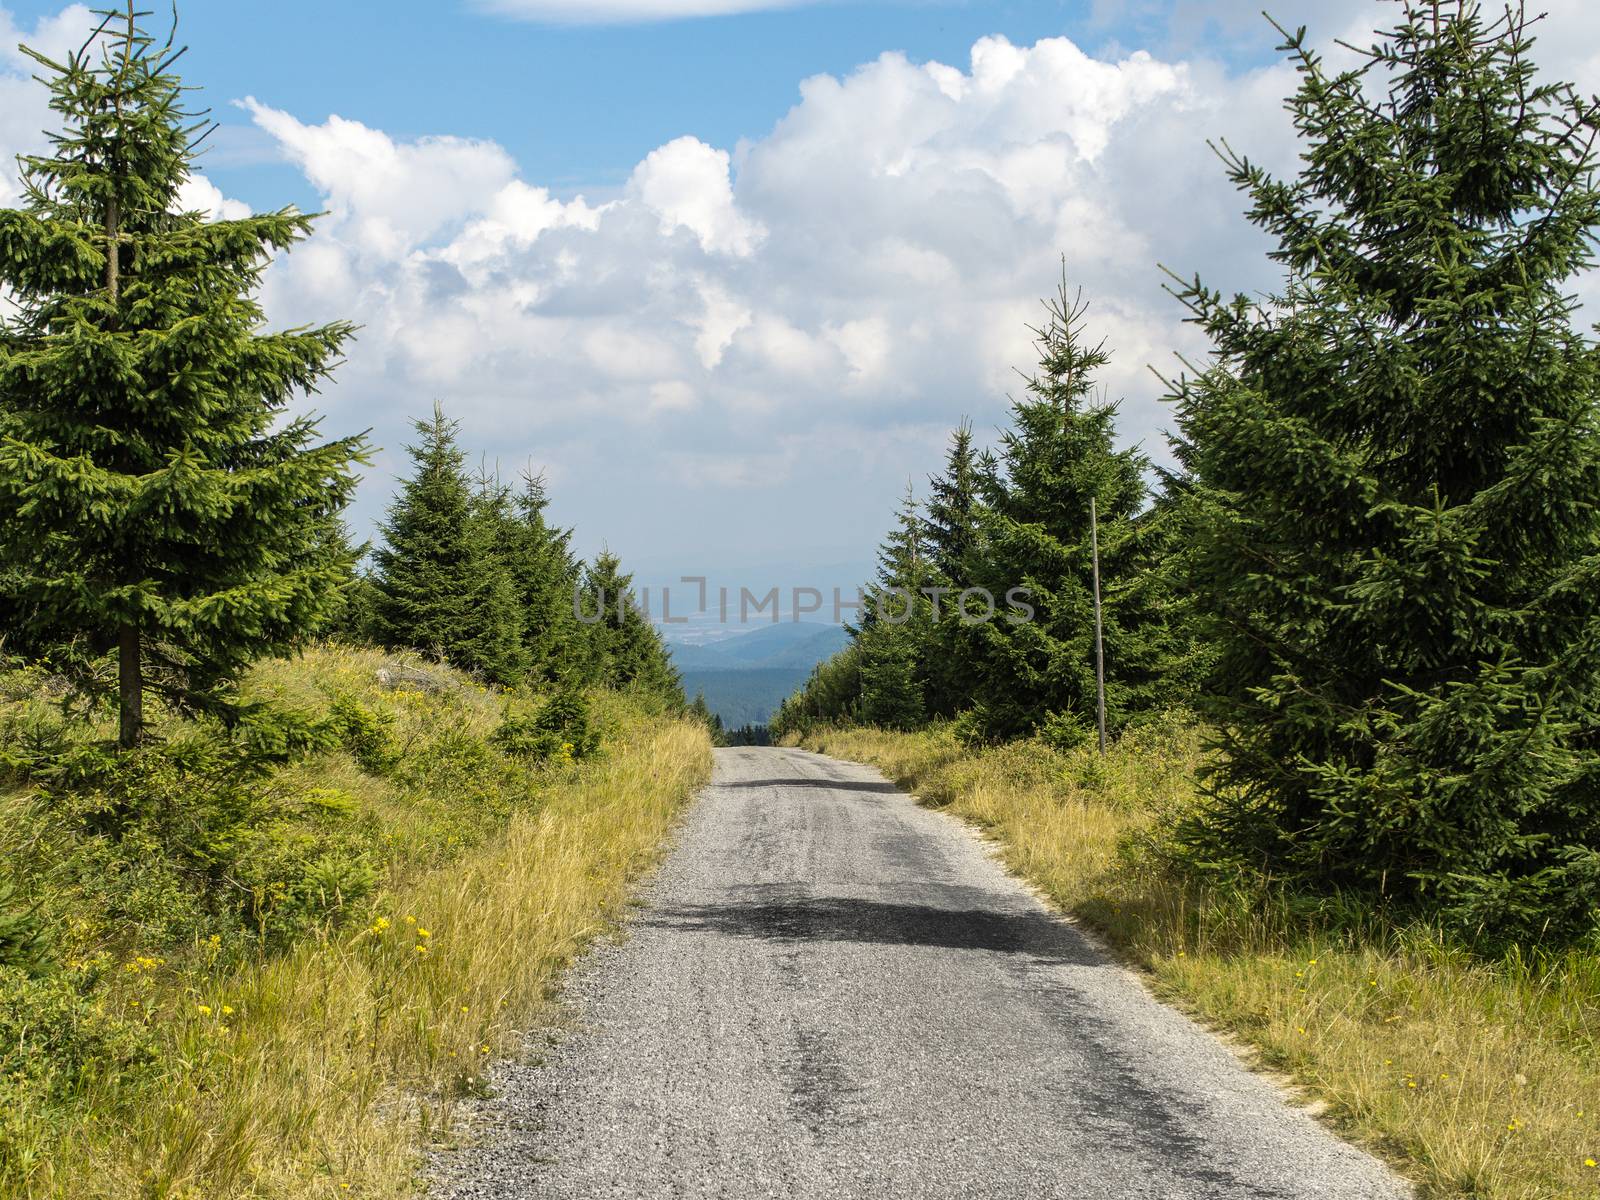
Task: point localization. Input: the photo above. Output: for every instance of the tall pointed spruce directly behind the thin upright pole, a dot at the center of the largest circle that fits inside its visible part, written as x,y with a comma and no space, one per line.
1034,534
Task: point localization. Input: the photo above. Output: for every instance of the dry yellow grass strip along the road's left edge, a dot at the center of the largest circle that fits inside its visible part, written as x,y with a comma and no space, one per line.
324,1071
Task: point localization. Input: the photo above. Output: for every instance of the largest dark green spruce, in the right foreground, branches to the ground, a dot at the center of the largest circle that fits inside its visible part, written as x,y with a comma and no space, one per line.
1401,466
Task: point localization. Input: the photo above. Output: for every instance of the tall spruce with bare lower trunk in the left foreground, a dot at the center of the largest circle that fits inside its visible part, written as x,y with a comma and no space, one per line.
156,497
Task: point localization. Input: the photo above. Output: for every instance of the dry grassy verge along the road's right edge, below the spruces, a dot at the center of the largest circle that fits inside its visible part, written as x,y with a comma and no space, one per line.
1479,1079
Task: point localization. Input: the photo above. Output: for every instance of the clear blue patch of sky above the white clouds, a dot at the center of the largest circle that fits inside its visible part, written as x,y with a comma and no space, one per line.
577,105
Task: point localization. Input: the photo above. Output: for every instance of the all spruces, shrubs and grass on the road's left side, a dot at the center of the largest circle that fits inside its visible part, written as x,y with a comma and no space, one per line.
289,849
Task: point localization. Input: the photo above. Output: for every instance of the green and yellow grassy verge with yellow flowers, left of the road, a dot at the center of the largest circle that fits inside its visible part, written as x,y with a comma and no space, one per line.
210,1026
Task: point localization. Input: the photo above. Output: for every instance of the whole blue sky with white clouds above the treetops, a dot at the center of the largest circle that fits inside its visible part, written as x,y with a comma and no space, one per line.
730,271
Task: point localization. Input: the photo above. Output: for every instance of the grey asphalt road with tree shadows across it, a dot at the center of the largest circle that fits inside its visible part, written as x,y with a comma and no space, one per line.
834,993
